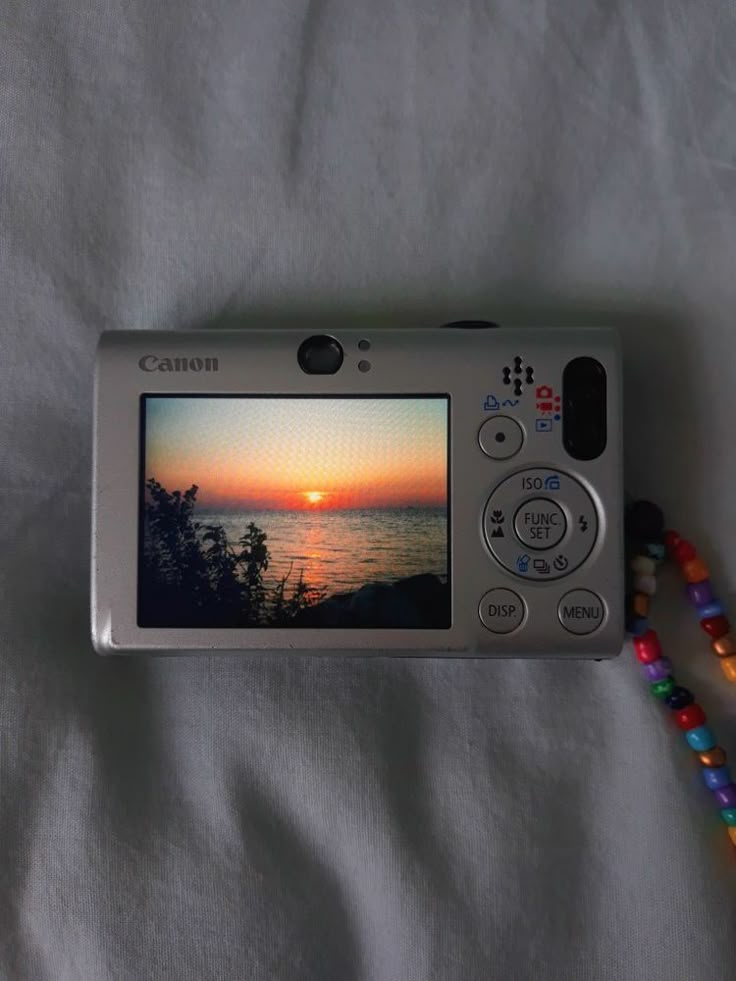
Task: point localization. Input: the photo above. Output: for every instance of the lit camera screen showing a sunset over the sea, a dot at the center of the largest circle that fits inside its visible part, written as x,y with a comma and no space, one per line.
294,512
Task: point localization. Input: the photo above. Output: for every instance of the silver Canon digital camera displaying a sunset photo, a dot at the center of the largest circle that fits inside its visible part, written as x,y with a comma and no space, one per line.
451,491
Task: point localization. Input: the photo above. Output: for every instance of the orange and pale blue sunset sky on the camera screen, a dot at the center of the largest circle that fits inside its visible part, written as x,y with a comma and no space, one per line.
270,453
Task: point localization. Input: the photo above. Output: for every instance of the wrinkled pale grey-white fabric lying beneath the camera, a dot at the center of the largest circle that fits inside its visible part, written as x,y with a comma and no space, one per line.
180,164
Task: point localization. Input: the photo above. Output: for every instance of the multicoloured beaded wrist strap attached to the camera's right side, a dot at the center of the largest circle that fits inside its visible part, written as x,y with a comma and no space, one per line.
645,528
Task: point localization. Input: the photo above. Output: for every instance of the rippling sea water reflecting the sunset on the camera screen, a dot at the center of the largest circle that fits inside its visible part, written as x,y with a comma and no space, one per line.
340,551
